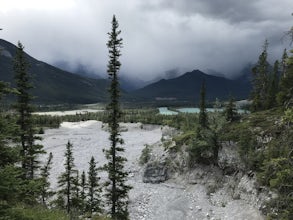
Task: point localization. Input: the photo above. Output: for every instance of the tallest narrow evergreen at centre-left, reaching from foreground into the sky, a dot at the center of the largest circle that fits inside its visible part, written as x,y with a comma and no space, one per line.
116,187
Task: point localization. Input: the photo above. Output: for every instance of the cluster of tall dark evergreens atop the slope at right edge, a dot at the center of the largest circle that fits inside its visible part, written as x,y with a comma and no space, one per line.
272,86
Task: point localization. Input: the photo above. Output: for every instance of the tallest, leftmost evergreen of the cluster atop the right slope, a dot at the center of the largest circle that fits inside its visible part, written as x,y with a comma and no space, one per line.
260,80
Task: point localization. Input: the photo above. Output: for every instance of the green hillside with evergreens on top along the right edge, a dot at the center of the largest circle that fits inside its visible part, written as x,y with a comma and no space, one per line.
272,159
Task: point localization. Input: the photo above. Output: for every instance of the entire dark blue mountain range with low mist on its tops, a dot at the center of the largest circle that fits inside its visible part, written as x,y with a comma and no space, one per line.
53,85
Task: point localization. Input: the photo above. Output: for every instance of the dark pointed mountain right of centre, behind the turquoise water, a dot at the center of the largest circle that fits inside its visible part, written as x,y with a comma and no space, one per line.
186,87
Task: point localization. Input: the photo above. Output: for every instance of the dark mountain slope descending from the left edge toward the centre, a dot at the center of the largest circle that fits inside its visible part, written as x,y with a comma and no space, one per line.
51,84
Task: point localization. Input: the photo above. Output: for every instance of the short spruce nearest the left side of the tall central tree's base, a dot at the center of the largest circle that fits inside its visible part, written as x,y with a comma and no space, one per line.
94,203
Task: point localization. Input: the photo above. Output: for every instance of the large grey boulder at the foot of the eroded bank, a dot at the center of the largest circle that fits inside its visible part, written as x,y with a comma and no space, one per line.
155,172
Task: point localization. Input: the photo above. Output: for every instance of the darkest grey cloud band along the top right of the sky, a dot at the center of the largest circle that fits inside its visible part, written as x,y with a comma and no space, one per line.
231,10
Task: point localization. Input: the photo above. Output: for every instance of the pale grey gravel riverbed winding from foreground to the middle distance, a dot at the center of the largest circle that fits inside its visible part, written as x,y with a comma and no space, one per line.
174,199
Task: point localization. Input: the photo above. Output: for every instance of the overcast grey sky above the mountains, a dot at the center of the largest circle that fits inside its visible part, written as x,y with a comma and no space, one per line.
158,35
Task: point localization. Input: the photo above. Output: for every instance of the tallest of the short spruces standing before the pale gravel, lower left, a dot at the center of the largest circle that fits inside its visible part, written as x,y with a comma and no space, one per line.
66,181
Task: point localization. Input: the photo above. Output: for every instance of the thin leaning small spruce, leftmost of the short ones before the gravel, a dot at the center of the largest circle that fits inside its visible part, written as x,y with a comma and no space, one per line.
45,184
